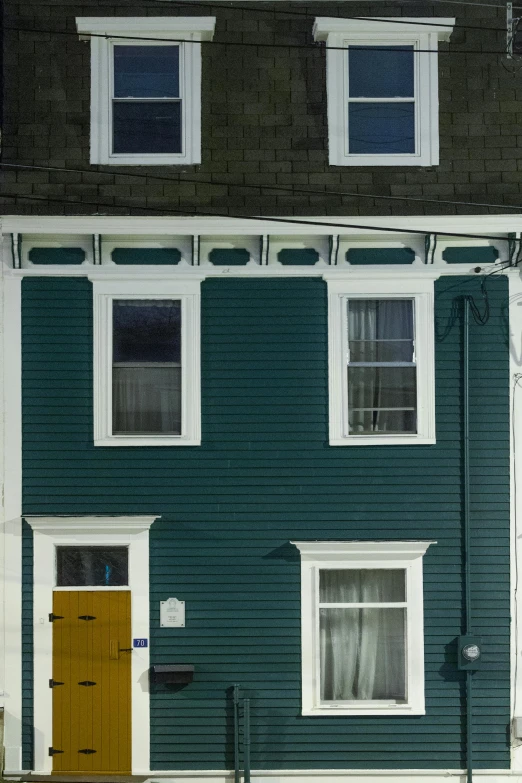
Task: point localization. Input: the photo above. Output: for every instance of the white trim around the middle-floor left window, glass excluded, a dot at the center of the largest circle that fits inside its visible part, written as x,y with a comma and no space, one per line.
188,293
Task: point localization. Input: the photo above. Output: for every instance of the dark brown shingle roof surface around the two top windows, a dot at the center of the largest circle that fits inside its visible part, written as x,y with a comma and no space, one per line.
263,118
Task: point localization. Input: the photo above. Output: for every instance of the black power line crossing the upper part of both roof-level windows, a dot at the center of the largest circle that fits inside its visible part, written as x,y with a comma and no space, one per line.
313,46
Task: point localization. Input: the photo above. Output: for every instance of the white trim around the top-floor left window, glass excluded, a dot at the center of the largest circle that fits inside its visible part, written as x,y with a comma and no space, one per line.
190,31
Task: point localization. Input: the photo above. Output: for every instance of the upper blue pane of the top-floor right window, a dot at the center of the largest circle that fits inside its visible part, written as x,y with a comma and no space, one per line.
381,72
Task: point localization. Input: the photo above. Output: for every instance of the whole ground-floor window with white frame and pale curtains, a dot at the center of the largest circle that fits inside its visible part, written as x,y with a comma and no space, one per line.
362,627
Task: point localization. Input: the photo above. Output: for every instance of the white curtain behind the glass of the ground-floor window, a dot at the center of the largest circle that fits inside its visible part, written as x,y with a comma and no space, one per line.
362,649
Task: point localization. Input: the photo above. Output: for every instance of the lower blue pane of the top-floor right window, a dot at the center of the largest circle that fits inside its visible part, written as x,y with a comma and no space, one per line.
381,128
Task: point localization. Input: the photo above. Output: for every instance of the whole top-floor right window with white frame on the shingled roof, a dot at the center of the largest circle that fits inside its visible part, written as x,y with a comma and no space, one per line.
382,88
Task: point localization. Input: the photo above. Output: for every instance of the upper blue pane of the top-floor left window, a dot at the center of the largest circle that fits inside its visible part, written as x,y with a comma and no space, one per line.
146,71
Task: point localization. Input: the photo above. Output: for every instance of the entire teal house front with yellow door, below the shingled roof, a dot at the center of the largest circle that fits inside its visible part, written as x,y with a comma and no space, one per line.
265,502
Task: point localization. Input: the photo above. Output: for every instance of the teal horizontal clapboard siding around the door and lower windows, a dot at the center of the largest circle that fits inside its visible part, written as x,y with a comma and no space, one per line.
266,475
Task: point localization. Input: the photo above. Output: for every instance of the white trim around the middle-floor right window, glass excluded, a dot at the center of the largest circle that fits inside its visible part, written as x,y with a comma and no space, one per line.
421,291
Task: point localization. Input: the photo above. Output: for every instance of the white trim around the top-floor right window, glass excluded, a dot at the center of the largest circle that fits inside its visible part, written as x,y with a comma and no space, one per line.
345,32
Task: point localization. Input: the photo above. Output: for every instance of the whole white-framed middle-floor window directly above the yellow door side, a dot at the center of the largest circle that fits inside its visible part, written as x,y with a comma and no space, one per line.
146,364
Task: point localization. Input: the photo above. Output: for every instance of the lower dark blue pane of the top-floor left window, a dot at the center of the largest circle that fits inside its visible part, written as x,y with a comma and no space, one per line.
152,127
